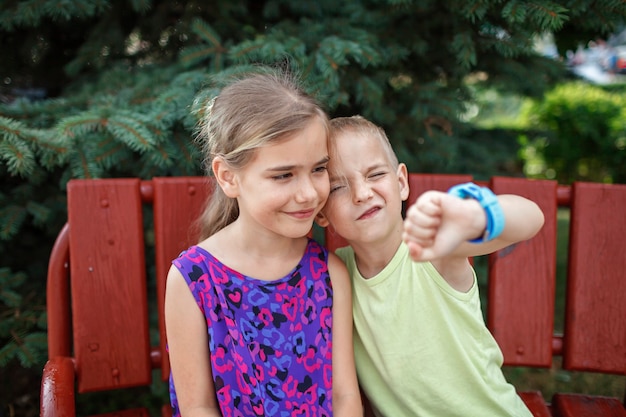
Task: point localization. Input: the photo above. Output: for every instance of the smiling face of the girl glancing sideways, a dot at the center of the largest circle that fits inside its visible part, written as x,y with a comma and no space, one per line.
286,183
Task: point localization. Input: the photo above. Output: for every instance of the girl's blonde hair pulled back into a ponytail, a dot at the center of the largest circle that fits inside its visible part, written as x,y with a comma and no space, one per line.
254,111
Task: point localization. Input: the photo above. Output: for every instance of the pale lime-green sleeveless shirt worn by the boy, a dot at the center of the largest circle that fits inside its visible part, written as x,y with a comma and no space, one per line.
422,348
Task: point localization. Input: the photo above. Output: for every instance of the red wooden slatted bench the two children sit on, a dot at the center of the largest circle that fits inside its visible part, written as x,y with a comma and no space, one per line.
99,310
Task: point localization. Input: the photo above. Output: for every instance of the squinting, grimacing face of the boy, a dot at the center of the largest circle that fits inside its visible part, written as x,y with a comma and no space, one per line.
366,190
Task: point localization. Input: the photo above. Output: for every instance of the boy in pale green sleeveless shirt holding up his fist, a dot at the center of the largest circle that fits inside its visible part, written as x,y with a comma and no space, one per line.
421,345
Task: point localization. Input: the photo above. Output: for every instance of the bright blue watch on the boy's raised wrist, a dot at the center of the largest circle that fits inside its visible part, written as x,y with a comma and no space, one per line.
489,202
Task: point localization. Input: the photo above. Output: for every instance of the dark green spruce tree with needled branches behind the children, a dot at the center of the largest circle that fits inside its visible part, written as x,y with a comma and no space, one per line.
111,88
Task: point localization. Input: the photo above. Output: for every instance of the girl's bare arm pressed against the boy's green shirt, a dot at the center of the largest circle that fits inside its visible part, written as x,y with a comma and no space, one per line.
346,395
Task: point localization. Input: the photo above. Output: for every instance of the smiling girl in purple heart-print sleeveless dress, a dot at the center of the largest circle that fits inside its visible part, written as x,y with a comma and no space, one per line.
258,316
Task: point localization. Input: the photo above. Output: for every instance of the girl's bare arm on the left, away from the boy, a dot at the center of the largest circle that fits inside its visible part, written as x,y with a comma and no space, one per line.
189,355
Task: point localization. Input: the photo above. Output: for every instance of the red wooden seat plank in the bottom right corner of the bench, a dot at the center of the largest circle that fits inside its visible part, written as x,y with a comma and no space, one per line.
576,405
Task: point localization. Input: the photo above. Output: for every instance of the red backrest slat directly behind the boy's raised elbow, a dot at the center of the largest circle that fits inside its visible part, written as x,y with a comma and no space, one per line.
522,282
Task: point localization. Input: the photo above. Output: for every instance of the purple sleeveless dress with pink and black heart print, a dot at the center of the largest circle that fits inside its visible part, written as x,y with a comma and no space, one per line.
270,341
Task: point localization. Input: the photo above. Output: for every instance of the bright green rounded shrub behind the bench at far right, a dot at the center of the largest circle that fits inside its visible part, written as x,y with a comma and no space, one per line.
578,134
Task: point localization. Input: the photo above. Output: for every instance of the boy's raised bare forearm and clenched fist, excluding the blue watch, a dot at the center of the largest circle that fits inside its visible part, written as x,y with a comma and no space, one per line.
440,225
